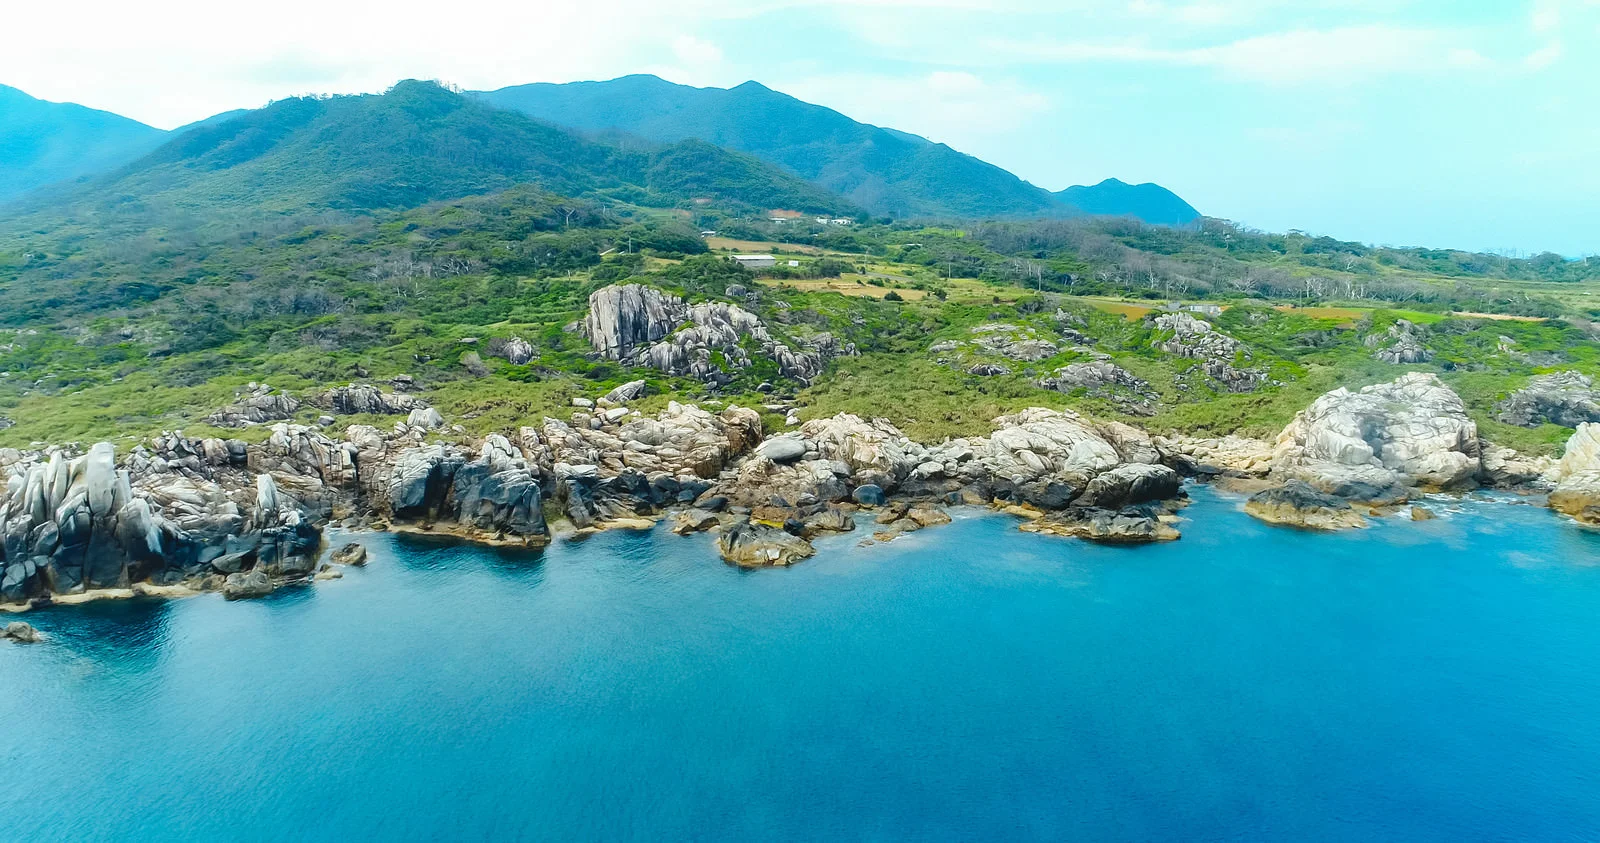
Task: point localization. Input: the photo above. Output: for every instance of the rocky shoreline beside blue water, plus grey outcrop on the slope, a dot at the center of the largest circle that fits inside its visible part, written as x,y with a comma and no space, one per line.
193,516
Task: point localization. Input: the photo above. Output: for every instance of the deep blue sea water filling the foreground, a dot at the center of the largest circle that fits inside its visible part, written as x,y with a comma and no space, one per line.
1433,681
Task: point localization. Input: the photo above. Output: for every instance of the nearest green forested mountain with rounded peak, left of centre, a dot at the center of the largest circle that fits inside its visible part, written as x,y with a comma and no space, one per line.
422,143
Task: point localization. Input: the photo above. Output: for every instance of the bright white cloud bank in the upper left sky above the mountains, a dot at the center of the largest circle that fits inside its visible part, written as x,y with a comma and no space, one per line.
172,62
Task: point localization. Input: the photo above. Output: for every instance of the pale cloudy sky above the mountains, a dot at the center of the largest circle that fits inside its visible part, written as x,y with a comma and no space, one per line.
1462,124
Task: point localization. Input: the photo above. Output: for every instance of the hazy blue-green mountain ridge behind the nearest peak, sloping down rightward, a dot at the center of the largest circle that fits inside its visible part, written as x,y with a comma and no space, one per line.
884,170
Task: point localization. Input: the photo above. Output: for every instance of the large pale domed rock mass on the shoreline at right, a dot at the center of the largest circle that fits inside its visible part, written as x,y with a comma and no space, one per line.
1385,437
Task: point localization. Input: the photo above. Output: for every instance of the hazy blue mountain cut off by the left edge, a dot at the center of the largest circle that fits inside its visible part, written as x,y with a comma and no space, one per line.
44,143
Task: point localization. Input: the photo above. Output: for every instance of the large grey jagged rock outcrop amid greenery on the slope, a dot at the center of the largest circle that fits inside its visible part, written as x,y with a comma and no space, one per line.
647,327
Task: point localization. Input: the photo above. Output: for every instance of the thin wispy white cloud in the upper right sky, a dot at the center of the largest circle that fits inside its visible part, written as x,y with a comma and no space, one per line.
1334,57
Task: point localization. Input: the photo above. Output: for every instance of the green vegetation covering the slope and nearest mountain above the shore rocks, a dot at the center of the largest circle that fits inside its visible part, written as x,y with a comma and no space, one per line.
322,242
